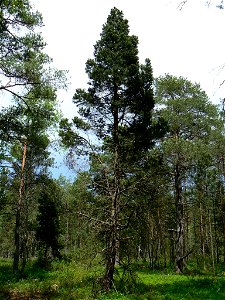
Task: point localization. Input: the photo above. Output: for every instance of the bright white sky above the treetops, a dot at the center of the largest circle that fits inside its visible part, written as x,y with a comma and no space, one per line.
187,42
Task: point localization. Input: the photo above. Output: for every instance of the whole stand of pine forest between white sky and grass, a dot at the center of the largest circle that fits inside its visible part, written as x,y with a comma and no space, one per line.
153,193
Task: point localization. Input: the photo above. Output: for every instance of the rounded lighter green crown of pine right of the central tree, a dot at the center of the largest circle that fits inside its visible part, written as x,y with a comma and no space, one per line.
185,107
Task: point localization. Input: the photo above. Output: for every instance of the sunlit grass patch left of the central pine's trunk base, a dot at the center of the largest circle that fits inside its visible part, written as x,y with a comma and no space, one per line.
64,281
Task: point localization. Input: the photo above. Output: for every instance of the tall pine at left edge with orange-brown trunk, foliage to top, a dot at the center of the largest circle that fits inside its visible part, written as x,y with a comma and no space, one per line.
26,76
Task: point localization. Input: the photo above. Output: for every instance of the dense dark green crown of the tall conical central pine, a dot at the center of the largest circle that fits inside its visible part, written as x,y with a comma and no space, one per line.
119,87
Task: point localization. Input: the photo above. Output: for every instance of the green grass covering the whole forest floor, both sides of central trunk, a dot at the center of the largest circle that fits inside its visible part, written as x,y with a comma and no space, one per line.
70,280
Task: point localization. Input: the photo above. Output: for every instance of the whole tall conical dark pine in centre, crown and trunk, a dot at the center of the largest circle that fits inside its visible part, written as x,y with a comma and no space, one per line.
117,108
